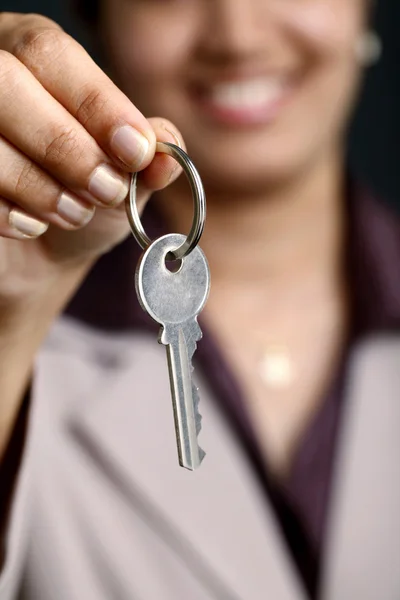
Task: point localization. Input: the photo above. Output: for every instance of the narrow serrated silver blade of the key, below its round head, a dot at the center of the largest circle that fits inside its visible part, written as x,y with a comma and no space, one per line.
185,399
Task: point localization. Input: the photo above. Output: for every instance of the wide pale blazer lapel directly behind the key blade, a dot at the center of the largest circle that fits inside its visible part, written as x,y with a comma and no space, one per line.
217,514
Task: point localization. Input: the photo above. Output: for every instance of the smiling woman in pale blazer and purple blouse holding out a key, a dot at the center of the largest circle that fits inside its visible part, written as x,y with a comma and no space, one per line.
298,495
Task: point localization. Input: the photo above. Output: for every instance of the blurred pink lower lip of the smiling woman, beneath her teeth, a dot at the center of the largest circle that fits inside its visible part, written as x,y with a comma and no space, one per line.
261,114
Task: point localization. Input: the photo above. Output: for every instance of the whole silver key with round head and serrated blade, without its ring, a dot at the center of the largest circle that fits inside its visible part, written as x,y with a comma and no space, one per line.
175,300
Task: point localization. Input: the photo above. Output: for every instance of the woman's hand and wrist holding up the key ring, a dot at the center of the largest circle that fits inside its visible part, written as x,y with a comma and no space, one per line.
68,139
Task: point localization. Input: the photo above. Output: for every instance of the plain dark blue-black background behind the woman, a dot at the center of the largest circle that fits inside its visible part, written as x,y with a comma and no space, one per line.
374,143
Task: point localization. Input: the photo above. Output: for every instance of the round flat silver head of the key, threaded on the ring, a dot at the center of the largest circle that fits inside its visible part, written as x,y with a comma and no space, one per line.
172,298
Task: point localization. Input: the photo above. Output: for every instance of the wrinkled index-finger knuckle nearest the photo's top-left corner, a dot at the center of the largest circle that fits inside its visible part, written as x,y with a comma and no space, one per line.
40,44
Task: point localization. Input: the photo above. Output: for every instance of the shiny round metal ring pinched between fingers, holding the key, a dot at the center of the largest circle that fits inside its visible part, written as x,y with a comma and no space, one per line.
199,200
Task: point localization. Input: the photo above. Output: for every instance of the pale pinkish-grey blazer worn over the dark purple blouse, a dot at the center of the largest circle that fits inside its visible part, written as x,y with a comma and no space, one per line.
102,510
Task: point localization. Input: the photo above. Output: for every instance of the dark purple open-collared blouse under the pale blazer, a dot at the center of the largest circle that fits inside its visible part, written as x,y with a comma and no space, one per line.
108,300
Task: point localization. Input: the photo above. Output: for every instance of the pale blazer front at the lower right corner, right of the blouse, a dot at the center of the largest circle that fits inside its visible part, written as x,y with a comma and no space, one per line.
364,537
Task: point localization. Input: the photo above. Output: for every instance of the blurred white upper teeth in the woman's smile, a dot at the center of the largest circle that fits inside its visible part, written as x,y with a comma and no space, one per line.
247,94
